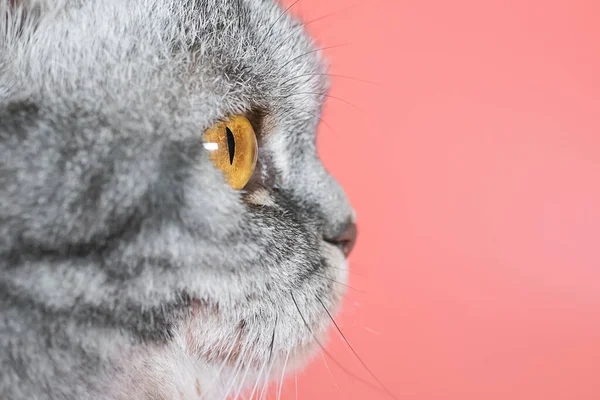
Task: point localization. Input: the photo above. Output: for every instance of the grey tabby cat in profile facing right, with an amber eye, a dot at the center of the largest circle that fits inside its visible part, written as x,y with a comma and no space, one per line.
130,266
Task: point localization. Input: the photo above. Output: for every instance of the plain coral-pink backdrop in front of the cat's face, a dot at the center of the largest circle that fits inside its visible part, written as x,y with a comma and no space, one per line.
474,167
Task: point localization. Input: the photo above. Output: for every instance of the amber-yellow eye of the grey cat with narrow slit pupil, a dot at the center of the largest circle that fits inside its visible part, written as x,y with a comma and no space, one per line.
233,149
